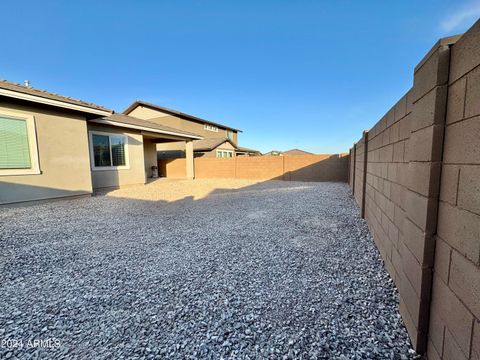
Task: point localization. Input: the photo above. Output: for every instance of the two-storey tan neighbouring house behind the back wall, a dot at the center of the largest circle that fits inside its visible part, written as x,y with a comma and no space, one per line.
219,140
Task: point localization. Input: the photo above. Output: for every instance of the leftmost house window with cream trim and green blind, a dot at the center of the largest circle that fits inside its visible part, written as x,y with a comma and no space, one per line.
18,146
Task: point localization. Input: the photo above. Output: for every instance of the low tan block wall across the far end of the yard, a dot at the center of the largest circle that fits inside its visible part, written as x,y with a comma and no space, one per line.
293,168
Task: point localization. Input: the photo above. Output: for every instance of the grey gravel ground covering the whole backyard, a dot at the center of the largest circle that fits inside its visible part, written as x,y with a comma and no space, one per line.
269,270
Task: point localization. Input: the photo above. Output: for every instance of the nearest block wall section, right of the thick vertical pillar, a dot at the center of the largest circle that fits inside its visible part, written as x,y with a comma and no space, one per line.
455,309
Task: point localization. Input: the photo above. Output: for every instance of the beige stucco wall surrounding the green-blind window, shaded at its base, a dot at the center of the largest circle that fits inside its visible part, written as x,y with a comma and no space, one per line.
63,156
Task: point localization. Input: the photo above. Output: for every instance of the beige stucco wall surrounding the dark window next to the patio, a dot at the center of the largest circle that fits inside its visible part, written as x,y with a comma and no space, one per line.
135,174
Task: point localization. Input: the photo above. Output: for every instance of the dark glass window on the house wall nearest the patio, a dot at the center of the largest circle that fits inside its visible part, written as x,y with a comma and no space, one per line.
108,151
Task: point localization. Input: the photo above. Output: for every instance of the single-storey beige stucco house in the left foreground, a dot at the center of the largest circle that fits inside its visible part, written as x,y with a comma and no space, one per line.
53,146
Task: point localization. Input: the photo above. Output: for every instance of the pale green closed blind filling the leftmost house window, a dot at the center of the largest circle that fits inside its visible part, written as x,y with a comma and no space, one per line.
14,148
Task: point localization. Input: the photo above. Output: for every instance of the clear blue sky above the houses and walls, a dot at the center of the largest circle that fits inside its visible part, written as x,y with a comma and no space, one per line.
290,74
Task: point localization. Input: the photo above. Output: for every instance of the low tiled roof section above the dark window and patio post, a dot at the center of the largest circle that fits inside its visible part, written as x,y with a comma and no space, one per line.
122,120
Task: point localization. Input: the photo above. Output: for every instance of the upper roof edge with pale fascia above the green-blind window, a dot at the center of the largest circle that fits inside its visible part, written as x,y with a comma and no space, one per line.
23,92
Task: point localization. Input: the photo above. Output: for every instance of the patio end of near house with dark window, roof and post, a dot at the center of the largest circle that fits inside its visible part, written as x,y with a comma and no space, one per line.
130,160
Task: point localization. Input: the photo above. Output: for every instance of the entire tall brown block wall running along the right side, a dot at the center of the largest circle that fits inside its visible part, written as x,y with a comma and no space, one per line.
422,198
